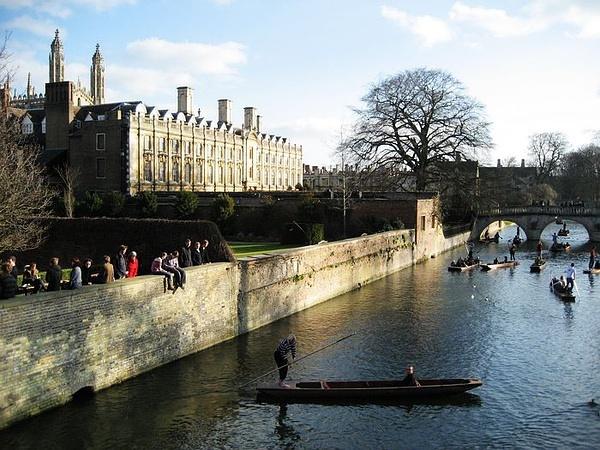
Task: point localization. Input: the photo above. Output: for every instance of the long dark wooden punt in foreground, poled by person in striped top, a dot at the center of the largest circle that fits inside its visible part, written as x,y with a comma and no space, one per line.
366,390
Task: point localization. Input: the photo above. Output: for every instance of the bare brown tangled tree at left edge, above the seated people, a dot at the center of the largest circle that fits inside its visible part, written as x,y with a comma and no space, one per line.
24,194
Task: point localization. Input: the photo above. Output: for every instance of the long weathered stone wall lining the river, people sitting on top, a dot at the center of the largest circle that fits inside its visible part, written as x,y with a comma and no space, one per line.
55,344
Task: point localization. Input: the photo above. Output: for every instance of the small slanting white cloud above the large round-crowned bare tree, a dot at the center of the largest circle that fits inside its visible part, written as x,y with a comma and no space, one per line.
428,29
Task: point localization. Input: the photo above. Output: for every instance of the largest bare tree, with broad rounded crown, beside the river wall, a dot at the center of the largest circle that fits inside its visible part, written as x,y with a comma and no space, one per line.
416,121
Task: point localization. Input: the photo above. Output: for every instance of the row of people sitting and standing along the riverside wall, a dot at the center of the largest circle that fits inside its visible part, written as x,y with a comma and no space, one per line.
126,265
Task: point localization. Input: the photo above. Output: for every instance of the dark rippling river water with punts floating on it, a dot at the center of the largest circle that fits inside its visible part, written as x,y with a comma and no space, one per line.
539,360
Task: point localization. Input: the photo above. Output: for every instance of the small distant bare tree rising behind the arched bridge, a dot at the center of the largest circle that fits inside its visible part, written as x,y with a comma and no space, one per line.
547,151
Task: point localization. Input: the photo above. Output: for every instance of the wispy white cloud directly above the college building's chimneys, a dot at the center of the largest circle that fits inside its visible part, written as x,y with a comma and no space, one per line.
191,57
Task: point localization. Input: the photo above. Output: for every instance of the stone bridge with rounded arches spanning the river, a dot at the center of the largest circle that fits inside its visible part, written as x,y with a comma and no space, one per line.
534,219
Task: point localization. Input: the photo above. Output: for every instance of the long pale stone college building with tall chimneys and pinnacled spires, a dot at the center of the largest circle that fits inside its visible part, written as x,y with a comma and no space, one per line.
131,147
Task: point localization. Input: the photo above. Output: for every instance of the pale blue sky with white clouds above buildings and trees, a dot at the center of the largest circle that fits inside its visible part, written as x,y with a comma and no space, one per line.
305,64
